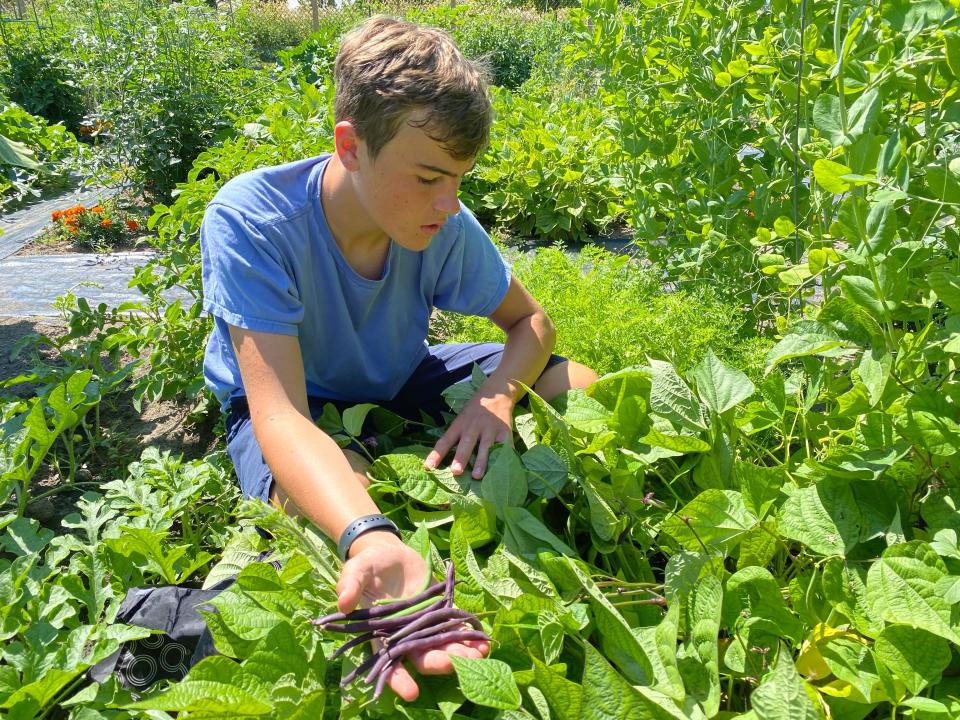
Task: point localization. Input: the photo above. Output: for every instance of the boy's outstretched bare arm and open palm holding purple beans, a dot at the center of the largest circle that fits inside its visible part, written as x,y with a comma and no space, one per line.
312,471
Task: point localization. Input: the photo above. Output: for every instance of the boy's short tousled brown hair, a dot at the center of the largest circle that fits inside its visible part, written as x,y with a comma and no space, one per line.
387,68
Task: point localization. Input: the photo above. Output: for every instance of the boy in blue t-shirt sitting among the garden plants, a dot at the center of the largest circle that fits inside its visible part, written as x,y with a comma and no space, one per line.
321,276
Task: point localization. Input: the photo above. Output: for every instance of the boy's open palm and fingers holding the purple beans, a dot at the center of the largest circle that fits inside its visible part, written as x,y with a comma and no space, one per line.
381,566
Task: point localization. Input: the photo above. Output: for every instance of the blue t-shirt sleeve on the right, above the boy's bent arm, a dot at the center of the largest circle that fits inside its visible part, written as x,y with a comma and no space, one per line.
474,277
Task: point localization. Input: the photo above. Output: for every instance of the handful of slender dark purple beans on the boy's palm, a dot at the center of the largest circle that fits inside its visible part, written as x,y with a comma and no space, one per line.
403,627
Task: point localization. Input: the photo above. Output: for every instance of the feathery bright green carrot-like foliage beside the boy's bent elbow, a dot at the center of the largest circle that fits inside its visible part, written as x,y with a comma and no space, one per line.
610,313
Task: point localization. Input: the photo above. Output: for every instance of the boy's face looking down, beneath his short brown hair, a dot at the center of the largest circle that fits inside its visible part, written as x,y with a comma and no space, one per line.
410,189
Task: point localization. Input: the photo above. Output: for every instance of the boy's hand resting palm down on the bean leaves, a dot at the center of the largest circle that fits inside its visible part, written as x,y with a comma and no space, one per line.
486,419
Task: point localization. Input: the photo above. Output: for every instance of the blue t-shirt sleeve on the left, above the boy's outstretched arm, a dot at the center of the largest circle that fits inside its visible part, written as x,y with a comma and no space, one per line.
245,279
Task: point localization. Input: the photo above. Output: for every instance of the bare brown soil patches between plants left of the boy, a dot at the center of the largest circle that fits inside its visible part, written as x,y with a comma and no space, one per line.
161,424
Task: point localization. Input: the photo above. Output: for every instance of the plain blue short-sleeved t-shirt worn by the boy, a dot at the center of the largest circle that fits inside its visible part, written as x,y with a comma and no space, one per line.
270,264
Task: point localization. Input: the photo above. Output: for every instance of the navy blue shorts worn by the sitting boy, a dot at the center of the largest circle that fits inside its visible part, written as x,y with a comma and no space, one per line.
443,366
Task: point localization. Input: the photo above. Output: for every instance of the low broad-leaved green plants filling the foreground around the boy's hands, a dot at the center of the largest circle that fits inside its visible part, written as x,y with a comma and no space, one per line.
633,555
